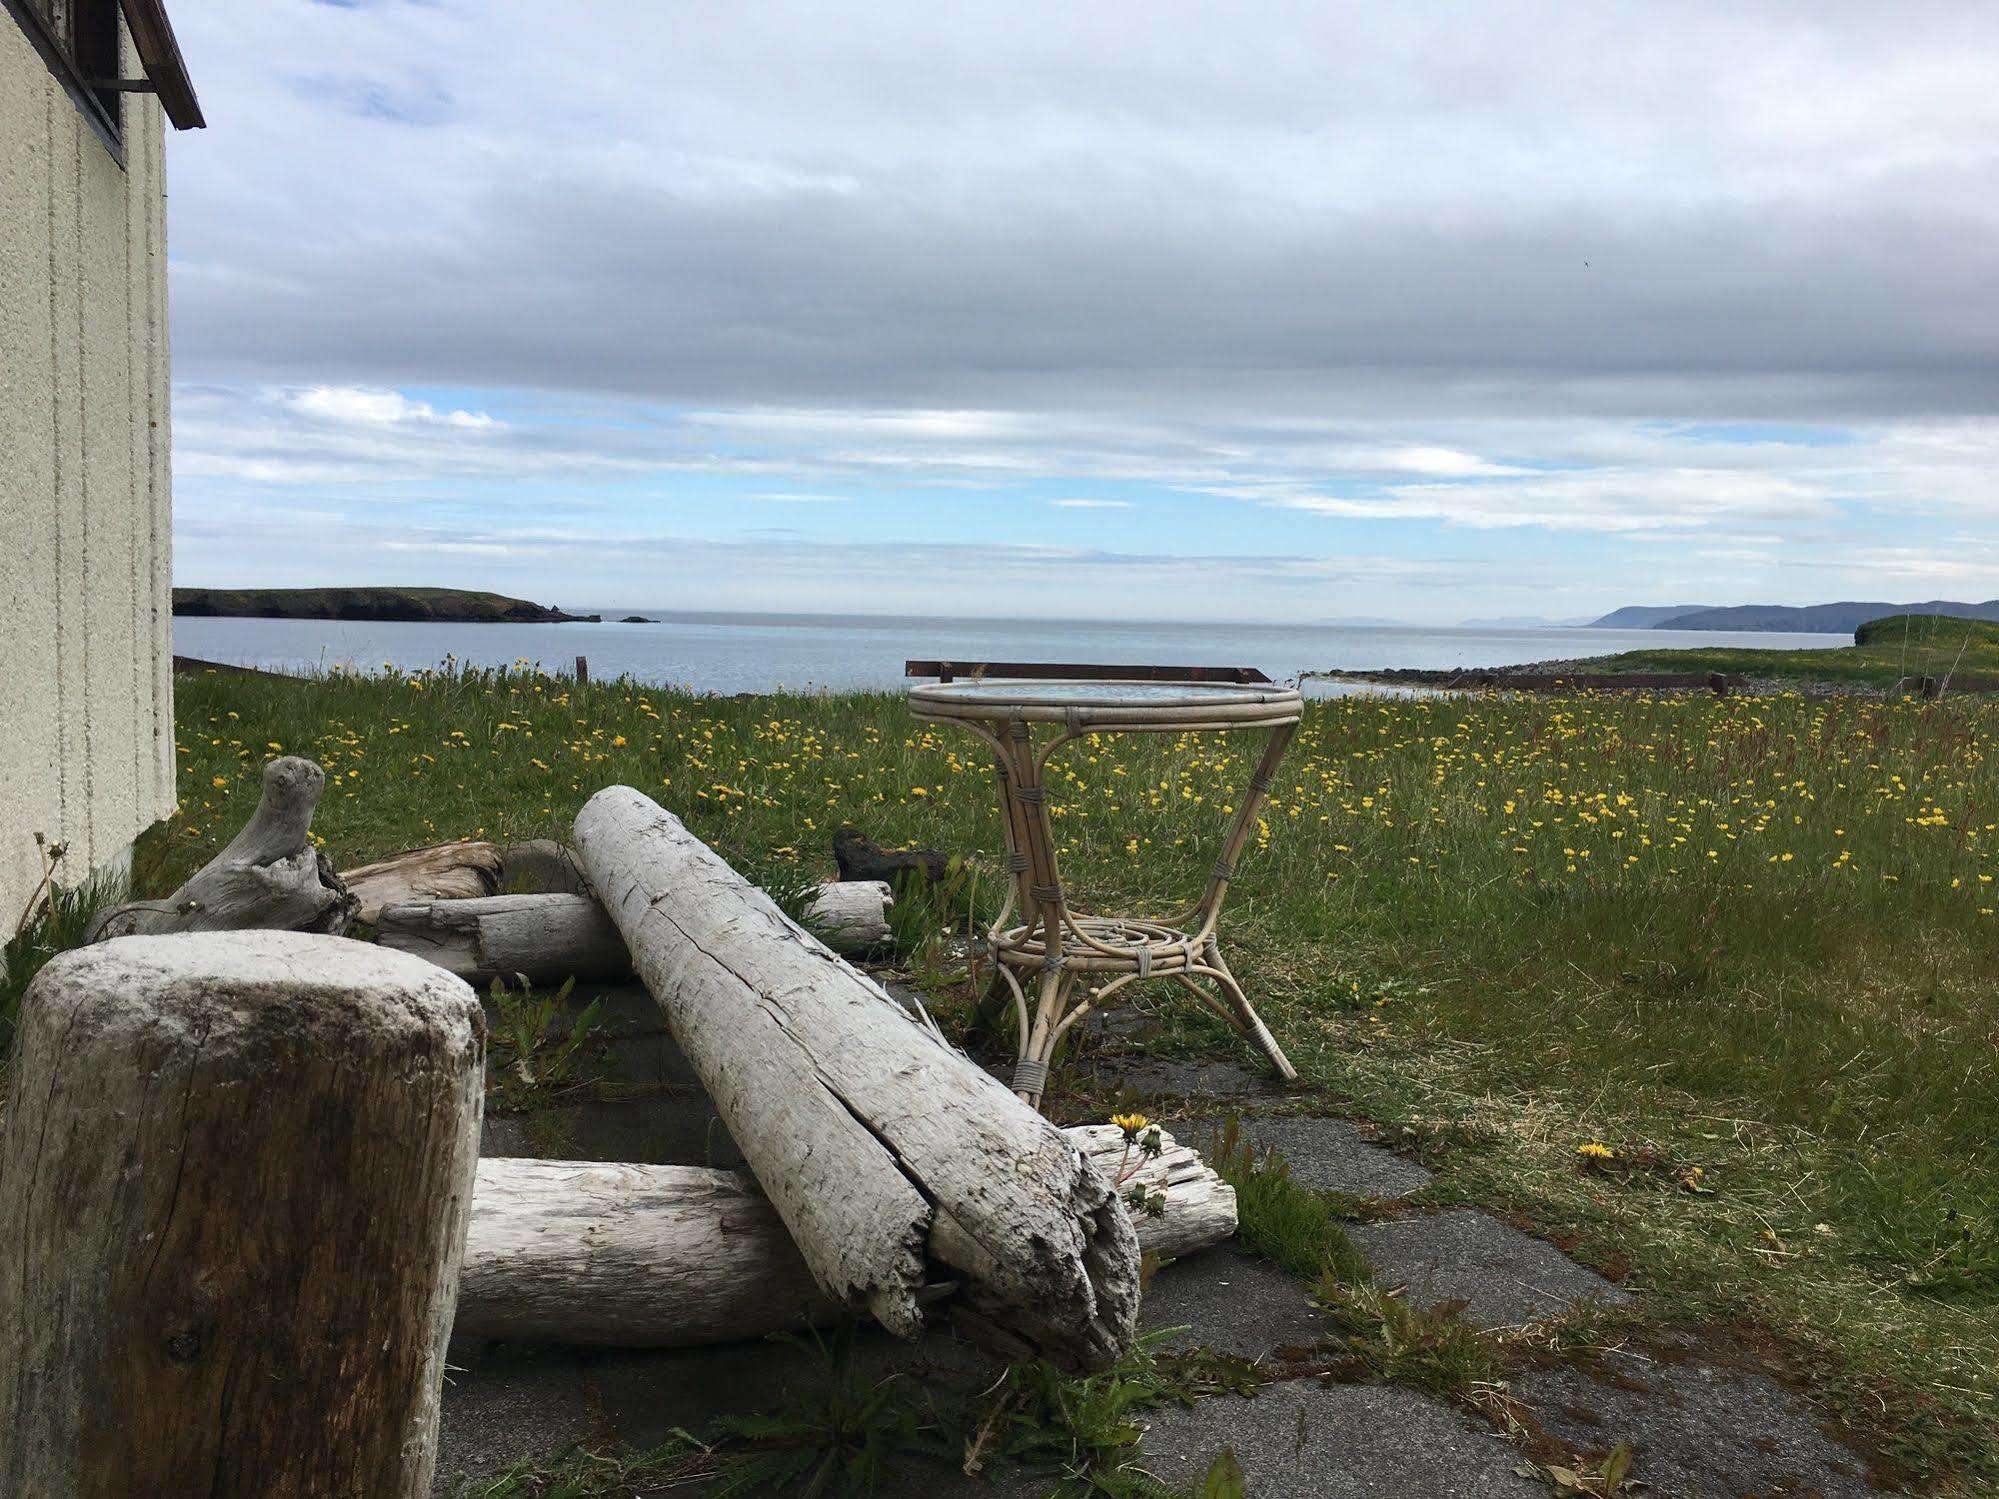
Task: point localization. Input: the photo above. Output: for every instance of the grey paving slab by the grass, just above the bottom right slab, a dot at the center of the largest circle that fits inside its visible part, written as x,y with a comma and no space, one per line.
1504,1278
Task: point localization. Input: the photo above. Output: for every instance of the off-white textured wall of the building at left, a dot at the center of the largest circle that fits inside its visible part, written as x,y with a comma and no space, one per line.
87,711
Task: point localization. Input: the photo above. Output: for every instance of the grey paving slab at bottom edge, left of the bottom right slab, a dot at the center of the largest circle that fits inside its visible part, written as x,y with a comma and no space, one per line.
1304,1440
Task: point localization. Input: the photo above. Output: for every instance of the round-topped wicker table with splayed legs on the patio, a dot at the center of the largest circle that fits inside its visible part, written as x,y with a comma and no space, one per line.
1044,944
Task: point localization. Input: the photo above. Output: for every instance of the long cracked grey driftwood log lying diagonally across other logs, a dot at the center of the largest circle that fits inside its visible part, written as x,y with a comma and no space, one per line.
905,1174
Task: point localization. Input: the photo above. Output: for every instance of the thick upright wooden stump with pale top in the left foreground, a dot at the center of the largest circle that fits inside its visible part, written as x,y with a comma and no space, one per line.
235,1178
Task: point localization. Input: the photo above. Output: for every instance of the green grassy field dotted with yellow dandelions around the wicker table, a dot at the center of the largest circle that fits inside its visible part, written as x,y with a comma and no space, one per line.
1746,950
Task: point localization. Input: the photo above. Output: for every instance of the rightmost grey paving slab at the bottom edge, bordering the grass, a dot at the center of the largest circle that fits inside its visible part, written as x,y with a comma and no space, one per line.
1696,1430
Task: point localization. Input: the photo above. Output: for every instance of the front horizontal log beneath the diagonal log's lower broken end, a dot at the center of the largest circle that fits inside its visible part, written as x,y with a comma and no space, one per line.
673,1256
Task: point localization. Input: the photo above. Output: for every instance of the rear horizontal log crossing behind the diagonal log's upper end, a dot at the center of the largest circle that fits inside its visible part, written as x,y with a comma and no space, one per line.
555,938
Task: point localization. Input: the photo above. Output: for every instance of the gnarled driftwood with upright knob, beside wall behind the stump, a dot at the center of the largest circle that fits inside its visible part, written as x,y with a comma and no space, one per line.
269,876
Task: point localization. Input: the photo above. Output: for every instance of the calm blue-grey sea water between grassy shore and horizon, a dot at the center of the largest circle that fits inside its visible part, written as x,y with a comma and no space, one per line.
757,653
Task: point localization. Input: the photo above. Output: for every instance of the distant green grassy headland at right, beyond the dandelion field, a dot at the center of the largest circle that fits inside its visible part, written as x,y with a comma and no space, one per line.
1884,653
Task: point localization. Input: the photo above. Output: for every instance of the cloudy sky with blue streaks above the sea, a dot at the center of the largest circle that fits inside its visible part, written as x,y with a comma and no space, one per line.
1154,311
